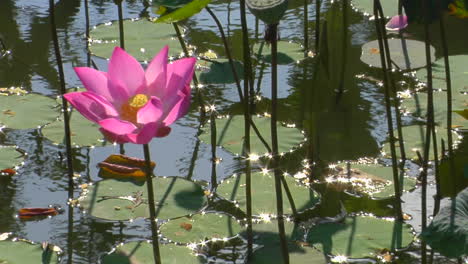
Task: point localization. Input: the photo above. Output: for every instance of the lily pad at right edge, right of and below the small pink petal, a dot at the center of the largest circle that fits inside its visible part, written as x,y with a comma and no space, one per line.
458,74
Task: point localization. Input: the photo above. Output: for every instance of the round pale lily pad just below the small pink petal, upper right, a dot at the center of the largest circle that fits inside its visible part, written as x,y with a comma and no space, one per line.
406,54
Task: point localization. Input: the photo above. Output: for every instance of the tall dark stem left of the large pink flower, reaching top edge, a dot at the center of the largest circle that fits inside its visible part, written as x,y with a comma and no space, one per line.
66,114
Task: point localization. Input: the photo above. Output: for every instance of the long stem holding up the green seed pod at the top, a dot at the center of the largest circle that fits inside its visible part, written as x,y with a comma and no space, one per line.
274,141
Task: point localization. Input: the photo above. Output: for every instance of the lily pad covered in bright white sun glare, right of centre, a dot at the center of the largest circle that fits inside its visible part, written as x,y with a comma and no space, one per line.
374,180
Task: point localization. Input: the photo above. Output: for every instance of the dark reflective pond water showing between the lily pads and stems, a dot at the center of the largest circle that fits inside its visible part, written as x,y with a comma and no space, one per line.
349,127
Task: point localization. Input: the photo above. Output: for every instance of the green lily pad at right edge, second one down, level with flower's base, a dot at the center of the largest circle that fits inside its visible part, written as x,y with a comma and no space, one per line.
417,105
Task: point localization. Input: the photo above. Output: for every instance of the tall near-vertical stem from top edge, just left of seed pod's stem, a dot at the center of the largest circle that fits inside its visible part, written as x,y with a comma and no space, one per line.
246,104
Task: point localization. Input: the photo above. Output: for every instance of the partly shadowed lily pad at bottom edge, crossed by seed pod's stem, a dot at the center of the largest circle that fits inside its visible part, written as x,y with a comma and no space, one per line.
268,237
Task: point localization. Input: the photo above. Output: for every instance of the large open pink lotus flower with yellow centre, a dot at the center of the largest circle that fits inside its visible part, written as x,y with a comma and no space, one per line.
131,104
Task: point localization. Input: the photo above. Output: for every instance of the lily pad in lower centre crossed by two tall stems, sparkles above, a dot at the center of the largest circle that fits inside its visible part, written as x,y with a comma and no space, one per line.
264,195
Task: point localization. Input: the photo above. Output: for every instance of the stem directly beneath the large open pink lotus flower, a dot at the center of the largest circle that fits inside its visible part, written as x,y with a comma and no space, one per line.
151,204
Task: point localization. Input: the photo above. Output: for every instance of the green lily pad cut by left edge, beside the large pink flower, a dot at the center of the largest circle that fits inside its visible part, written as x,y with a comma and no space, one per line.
27,111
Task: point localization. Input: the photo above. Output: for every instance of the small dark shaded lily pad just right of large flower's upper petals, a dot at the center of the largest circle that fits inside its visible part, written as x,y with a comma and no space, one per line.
218,71
